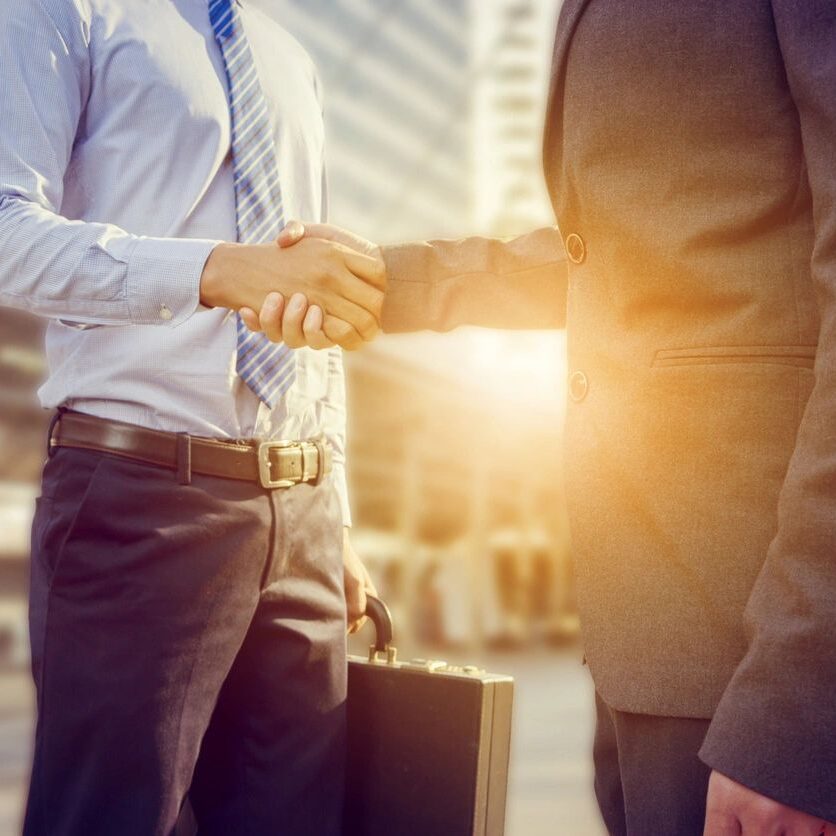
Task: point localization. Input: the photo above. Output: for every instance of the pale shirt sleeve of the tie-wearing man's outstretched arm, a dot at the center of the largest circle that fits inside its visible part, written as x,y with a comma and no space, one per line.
55,267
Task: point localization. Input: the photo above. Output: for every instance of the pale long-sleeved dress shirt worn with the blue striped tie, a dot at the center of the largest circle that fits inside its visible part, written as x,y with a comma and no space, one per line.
115,184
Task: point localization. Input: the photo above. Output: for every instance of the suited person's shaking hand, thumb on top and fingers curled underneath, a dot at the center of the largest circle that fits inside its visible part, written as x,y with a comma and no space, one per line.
301,323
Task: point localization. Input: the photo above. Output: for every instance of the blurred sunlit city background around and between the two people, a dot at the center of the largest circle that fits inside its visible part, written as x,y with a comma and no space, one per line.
434,115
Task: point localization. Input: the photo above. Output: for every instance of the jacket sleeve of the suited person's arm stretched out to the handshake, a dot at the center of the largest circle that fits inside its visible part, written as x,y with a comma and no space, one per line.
497,283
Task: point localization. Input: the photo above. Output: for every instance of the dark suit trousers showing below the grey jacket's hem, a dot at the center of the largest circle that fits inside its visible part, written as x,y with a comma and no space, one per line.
648,778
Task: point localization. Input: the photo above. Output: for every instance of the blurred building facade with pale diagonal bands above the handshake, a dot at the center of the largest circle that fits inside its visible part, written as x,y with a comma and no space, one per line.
398,90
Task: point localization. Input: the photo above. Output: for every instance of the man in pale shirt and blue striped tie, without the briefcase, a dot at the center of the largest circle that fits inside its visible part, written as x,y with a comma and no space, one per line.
189,567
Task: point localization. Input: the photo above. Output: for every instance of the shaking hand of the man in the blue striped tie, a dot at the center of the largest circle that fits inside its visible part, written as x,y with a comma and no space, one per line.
331,275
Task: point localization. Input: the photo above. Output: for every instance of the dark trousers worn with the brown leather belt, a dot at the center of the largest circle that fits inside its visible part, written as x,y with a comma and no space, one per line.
186,640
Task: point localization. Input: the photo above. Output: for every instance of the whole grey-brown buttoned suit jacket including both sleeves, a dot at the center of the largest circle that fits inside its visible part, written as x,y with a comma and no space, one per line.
690,151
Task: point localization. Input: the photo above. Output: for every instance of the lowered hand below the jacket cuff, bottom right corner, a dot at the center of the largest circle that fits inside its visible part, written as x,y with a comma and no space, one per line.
733,809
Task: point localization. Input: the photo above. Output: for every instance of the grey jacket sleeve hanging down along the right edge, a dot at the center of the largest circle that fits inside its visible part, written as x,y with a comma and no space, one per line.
775,728
